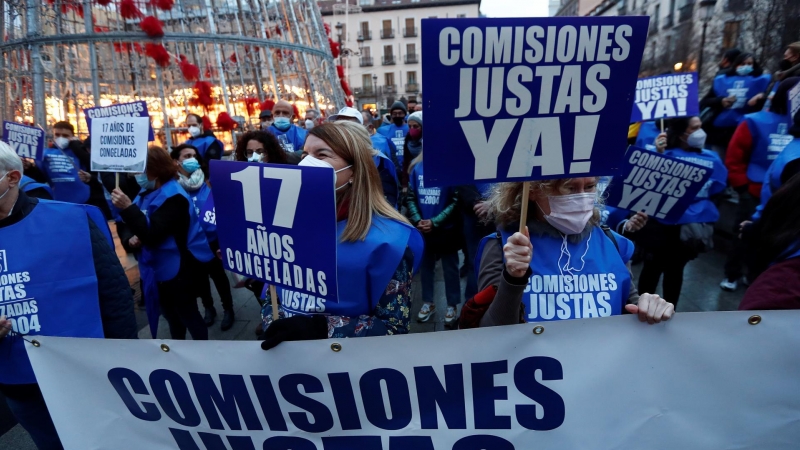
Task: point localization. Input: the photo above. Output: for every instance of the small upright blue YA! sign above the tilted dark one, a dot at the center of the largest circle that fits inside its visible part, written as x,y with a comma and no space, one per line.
665,96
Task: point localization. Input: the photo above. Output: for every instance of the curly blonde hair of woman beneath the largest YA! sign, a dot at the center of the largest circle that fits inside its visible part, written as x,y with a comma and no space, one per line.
506,199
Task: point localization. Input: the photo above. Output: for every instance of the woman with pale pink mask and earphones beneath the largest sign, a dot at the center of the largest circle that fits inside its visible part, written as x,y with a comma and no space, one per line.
564,266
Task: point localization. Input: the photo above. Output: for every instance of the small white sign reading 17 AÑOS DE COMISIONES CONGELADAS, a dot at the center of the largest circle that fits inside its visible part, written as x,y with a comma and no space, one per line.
119,144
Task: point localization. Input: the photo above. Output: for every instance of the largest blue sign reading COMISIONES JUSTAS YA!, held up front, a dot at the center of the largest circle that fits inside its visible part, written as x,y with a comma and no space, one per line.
524,99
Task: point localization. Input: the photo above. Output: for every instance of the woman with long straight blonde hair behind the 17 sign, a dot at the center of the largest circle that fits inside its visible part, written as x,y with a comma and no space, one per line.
376,254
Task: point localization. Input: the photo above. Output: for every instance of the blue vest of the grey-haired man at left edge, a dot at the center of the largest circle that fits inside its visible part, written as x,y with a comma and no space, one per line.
49,289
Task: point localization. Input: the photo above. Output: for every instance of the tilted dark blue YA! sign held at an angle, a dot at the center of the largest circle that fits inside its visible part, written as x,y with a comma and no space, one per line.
659,185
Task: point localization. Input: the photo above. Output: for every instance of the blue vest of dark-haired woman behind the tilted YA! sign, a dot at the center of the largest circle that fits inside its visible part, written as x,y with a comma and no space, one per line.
702,209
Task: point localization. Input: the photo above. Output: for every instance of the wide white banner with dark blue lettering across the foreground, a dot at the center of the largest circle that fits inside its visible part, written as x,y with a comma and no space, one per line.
700,381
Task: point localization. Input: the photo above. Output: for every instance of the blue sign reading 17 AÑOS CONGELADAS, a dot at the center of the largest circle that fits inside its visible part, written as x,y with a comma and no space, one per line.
277,223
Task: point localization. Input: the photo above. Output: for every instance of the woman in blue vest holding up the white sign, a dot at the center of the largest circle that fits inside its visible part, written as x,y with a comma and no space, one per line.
161,222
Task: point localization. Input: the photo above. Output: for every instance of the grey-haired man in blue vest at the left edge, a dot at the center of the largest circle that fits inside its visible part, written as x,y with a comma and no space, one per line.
70,283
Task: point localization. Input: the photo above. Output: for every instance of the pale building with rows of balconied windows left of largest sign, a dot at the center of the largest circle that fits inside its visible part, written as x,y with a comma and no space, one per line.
381,44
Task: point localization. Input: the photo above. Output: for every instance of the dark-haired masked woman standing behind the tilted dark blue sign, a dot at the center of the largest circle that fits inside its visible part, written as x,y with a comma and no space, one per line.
673,246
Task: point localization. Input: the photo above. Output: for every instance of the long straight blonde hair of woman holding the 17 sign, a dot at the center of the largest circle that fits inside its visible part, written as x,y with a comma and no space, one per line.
351,142
